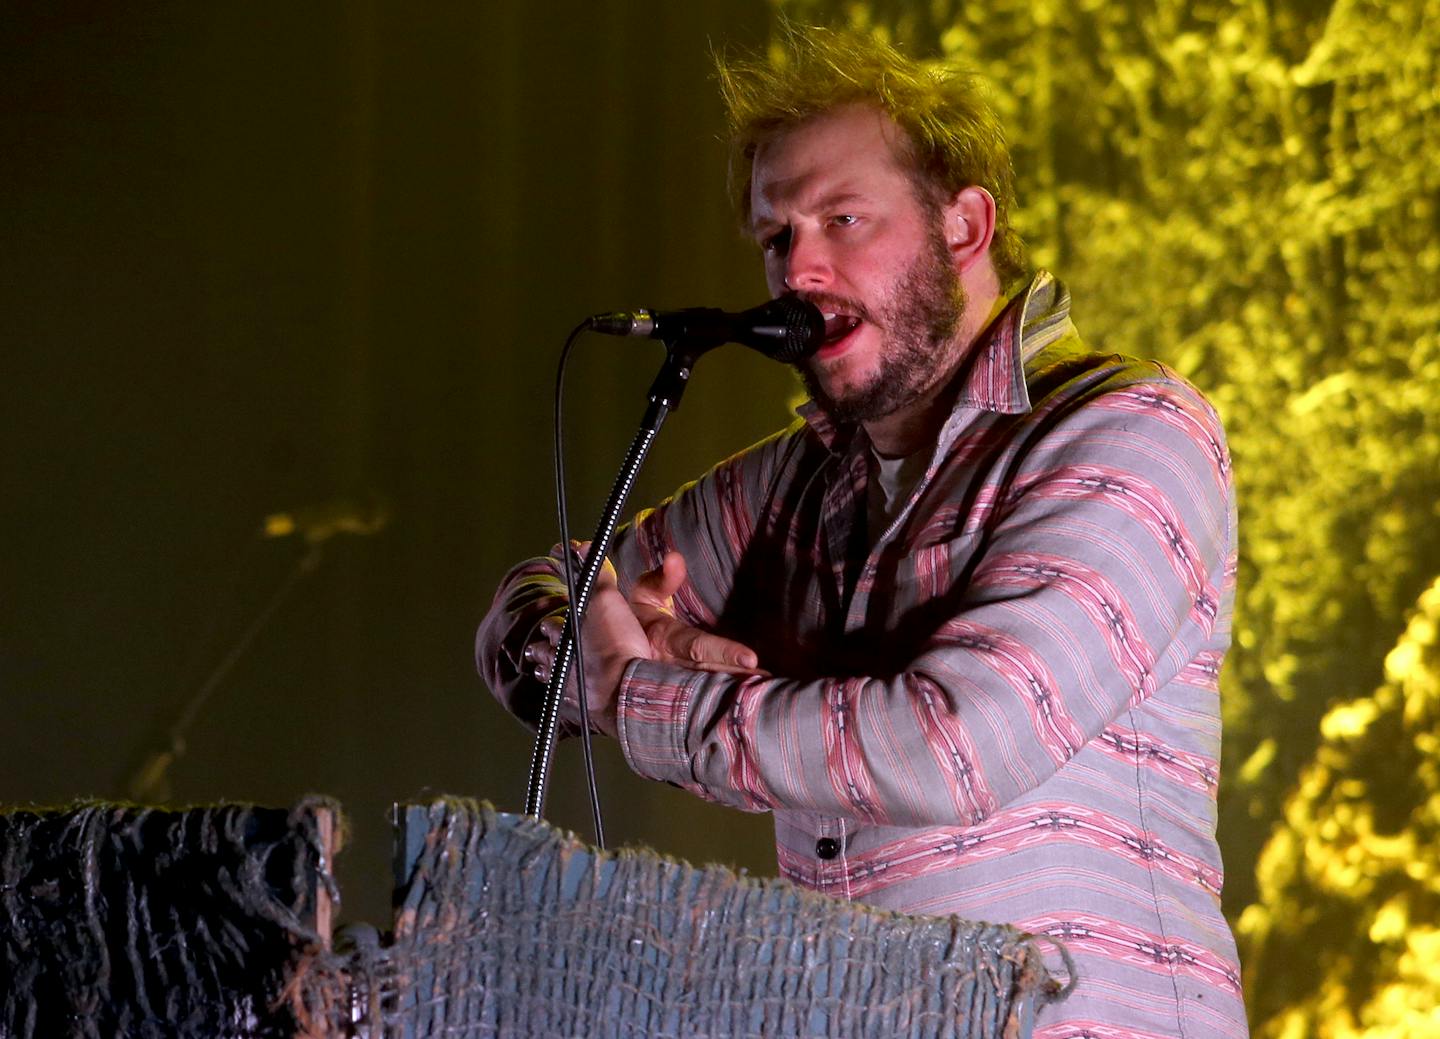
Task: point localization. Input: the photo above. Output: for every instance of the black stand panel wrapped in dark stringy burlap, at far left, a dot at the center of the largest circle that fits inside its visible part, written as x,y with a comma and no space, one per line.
127,922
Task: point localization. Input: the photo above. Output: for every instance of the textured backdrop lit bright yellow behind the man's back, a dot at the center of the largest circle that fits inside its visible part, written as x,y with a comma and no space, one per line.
1249,192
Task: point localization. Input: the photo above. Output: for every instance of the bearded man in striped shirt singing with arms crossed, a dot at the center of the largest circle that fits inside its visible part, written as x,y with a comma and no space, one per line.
960,627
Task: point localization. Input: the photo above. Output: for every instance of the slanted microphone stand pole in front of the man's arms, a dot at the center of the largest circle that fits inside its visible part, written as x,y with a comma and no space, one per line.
665,396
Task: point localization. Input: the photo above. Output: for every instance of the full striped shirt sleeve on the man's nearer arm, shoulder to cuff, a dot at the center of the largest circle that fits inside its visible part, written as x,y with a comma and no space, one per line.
1101,578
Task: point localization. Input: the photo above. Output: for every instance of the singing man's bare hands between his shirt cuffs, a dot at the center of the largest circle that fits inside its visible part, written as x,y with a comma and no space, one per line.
618,631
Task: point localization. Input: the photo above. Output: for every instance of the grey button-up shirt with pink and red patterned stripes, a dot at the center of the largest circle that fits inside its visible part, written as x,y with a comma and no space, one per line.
1004,706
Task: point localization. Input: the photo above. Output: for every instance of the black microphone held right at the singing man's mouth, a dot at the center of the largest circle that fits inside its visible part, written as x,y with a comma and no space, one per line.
786,330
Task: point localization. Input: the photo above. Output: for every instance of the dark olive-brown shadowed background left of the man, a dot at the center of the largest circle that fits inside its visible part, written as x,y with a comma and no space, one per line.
263,257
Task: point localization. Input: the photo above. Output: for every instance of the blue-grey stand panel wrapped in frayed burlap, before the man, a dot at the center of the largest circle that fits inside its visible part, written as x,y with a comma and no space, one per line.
508,927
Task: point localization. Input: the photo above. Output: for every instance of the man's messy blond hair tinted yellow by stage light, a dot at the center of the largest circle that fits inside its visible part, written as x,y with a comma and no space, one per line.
953,137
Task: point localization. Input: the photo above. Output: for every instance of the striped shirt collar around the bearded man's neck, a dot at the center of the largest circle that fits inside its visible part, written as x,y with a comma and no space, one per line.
996,379
